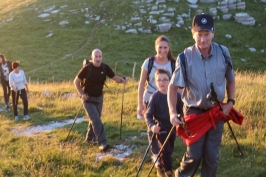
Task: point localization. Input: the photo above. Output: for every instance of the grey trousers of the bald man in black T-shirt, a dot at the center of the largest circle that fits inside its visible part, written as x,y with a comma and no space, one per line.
93,107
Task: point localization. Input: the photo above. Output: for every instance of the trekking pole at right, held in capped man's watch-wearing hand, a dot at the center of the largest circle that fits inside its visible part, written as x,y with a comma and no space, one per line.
212,96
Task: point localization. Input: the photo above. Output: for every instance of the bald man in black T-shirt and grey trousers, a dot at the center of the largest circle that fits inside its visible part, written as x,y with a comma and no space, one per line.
91,94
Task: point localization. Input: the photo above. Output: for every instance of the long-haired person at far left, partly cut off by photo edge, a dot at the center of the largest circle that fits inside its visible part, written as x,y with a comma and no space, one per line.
5,69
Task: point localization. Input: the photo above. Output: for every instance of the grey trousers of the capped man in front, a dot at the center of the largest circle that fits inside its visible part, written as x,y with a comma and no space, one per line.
205,150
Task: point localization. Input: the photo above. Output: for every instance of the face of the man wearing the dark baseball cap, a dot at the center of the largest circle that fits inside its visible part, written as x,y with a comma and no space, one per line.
203,39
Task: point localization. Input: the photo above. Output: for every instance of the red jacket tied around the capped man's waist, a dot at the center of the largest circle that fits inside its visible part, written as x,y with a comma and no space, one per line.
198,124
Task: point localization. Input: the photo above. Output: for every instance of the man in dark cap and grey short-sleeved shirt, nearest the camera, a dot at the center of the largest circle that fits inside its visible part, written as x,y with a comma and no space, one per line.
204,64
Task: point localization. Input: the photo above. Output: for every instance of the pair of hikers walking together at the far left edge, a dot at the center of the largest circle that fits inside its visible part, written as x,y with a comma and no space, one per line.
14,83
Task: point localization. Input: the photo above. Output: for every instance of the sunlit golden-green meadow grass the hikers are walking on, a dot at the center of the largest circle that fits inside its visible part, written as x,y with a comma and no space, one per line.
43,155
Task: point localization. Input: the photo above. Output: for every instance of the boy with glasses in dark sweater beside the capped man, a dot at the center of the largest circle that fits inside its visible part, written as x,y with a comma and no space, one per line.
158,120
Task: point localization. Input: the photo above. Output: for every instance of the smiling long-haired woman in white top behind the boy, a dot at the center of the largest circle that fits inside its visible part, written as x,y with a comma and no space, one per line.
163,60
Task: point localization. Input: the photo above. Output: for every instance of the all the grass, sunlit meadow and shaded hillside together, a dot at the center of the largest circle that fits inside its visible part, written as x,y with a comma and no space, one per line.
59,58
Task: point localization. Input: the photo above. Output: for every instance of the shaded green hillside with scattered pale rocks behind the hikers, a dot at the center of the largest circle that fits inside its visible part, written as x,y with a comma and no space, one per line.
59,57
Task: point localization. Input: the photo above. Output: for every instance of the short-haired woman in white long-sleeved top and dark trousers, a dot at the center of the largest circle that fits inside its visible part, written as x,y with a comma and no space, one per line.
18,82
